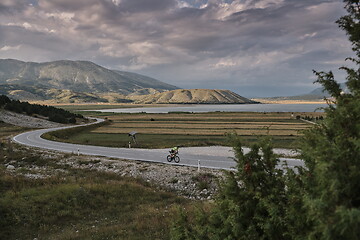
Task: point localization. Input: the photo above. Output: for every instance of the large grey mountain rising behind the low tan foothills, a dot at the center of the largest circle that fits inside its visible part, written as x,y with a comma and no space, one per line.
76,76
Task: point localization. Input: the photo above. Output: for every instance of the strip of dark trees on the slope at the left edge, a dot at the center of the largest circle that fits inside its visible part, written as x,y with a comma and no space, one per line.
52,113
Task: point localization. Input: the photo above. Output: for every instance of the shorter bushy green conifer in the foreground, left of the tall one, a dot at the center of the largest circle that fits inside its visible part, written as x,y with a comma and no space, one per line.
251,203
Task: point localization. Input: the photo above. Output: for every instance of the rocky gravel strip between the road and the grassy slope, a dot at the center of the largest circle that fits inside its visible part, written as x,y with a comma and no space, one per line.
185,181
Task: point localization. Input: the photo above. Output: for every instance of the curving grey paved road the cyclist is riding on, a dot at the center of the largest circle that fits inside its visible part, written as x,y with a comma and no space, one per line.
209,157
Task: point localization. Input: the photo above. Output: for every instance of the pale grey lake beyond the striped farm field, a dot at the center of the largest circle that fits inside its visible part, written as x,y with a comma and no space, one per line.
198,108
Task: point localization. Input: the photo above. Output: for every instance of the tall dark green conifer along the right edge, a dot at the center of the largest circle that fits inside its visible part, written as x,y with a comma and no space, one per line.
331,150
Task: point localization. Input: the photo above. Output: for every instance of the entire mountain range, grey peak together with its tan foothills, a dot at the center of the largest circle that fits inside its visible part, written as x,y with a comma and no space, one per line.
83,81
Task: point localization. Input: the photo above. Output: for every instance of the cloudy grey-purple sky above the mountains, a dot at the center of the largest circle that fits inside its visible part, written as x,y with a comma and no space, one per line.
253,47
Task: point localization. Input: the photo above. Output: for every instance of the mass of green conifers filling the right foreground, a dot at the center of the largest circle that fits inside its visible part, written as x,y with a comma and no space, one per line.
318,201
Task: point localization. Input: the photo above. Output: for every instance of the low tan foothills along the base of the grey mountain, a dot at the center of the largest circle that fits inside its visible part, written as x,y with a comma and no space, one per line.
143,96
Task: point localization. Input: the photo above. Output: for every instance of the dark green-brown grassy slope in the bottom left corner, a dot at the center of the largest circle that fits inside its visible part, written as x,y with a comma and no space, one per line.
90,205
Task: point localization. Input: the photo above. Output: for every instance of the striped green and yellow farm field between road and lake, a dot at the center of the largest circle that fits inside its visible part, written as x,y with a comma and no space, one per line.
194,129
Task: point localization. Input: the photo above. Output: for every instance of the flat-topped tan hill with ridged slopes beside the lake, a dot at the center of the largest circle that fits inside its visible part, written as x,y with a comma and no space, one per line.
194,96
